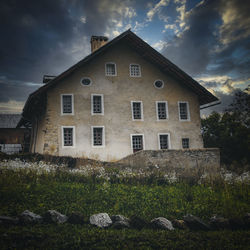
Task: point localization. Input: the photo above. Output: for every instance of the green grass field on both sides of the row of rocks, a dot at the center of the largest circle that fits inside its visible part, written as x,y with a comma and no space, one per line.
147,198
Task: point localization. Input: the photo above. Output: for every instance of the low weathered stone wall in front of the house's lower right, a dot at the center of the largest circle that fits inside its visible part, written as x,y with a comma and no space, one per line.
186,162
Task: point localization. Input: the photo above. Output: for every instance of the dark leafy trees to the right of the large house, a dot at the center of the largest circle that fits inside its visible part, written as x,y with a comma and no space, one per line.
230,131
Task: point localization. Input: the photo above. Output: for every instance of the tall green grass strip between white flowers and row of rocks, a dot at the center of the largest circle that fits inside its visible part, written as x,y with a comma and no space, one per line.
147,197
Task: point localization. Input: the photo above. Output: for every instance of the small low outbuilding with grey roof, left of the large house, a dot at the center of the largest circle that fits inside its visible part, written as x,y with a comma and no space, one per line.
12,139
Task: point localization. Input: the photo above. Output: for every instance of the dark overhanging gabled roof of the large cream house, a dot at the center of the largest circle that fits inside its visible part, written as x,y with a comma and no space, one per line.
146,51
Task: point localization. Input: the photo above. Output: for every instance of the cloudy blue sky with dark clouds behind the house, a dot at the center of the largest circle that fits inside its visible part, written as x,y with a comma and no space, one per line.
208,39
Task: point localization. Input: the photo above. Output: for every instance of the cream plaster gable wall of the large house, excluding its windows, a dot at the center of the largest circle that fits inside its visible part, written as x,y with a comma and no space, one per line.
118,93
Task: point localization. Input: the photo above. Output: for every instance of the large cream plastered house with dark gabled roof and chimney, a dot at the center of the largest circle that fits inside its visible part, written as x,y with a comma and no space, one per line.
122,98
